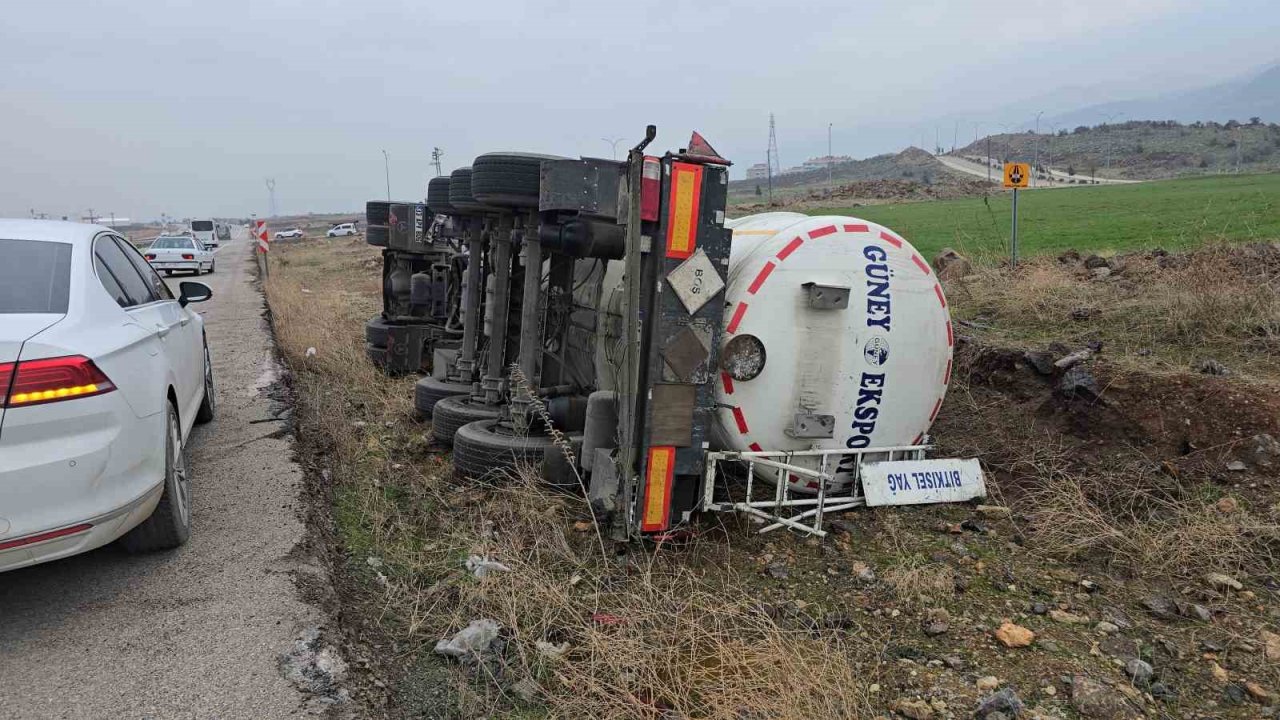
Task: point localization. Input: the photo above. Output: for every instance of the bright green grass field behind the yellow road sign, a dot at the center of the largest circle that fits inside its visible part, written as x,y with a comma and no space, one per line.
1103,220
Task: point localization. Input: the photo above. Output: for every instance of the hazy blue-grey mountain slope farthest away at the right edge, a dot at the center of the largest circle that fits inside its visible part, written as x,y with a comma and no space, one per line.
1255,95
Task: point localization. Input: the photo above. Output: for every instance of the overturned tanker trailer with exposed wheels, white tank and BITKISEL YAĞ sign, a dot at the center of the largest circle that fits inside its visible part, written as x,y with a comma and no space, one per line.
605,323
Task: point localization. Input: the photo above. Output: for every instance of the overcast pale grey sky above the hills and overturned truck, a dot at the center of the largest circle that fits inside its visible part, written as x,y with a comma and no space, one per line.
186,107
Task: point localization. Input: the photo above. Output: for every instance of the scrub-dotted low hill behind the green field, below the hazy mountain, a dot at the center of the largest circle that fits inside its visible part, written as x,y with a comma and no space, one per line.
1145,149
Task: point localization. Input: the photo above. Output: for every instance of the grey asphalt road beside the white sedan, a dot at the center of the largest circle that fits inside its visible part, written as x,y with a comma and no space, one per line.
195,634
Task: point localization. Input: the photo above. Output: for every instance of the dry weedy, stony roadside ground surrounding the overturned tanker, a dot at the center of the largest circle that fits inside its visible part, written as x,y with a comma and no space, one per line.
897,610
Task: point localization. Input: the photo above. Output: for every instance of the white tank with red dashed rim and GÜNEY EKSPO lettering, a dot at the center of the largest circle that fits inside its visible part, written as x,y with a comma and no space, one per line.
836,336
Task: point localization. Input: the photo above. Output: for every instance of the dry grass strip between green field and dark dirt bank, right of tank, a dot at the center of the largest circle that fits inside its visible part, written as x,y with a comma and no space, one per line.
1222,302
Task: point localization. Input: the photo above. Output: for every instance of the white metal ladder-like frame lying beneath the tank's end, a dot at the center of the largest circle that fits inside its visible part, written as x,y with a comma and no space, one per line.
788,509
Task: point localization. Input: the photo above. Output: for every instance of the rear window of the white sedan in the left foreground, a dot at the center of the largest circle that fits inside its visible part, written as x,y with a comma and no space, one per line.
35,277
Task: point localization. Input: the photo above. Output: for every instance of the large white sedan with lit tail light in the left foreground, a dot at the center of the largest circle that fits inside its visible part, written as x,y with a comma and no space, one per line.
103,375
